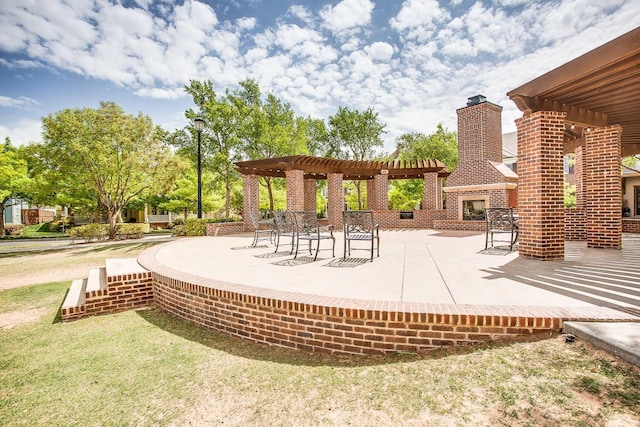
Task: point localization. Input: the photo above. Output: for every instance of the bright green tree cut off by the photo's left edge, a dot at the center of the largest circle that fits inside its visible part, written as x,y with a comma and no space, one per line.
13,176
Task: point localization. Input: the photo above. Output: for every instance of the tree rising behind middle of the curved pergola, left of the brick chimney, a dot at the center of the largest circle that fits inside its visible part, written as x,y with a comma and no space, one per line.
354,135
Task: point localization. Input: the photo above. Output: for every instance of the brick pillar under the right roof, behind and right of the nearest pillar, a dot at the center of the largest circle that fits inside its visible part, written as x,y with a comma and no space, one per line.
603,187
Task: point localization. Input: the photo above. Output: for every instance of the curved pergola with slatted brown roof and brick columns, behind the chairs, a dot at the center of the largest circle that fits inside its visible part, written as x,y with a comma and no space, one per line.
302,172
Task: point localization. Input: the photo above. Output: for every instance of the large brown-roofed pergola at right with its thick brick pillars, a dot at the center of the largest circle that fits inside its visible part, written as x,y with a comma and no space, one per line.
589,106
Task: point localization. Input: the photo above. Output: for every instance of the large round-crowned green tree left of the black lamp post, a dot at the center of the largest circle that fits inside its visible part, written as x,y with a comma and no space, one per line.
108,154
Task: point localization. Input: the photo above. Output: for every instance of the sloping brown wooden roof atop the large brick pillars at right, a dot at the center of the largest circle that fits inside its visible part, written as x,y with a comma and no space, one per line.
599,88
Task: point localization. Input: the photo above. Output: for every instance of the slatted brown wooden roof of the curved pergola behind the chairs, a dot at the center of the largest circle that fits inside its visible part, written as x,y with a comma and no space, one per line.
319,167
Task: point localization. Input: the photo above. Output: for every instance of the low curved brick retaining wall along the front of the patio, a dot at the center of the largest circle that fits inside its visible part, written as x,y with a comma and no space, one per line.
342,326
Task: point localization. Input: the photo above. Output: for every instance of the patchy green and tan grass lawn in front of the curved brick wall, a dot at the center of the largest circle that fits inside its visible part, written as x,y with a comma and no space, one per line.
148,368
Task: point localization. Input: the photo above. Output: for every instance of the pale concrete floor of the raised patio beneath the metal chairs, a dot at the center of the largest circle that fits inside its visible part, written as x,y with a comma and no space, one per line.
440,267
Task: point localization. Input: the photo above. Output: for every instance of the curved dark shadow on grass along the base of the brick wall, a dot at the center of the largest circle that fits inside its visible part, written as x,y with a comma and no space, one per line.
239,347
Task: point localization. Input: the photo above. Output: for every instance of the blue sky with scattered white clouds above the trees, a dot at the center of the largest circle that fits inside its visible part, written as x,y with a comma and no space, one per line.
415,62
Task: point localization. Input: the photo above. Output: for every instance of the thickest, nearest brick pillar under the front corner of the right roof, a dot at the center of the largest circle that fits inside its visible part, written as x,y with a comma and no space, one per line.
541,185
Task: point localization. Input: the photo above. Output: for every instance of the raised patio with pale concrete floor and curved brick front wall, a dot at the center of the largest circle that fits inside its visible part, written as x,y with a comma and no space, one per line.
427,289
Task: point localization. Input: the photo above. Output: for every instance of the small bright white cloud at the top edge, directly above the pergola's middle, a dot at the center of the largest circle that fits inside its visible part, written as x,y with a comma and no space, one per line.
347,16
